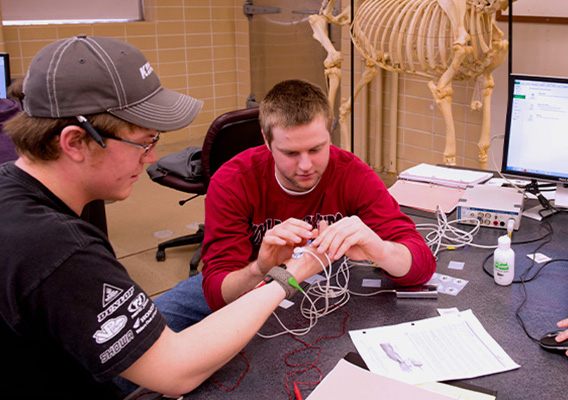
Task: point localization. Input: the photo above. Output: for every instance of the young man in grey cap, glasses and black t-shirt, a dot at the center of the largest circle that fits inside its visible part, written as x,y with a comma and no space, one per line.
71,317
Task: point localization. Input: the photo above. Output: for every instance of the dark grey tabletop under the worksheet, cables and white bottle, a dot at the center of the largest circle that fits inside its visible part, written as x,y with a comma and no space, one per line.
543,375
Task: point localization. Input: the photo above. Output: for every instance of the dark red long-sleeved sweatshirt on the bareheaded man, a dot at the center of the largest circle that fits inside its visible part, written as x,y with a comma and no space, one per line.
244,200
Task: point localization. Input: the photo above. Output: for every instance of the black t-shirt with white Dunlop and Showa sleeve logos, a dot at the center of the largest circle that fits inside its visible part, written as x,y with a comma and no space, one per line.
71,317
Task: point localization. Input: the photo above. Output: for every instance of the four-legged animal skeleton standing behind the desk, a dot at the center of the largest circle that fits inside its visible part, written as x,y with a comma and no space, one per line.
442,40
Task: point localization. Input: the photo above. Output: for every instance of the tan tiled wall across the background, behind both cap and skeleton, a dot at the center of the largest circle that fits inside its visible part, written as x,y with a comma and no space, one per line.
201,48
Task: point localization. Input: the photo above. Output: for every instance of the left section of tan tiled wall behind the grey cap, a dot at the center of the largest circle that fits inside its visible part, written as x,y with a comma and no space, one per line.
197,47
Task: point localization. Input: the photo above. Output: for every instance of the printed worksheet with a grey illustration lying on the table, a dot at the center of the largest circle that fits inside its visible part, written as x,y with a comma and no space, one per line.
454,346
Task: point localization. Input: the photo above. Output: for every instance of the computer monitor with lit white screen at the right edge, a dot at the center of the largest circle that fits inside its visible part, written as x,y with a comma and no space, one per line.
536,134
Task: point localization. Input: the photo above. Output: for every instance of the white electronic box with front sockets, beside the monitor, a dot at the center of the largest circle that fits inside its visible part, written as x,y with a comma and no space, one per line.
492,206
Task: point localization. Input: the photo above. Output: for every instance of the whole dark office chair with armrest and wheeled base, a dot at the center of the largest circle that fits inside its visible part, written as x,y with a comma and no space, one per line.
228,135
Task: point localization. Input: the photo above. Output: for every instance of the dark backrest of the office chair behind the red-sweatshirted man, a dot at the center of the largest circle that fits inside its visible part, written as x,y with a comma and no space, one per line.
230,134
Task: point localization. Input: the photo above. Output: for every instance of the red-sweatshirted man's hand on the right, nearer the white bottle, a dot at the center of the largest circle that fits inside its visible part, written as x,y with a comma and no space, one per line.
349,236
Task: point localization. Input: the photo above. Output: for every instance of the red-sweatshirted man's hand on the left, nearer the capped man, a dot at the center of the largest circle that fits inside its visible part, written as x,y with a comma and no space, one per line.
279,242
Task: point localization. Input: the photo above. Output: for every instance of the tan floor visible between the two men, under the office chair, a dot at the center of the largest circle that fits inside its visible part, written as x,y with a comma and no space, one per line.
151,215
